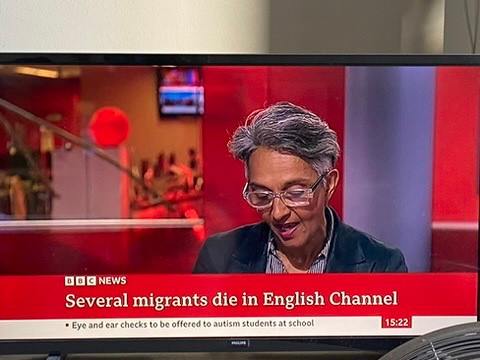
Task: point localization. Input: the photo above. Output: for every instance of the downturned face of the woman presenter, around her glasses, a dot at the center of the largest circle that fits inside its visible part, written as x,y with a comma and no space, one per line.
294,227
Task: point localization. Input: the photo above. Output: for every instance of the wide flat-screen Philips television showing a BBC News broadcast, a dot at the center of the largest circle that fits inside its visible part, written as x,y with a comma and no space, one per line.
100,246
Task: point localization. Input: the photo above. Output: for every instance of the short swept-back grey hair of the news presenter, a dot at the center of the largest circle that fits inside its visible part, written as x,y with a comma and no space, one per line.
288,129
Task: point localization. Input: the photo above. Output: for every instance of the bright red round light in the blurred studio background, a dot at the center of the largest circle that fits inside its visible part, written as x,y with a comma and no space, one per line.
109,126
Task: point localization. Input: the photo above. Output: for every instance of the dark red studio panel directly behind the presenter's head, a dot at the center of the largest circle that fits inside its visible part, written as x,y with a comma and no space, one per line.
231,94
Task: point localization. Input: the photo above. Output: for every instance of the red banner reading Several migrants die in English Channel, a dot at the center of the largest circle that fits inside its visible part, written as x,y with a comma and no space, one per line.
171,296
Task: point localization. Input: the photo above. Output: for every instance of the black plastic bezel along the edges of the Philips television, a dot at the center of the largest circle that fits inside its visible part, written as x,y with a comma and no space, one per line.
194,344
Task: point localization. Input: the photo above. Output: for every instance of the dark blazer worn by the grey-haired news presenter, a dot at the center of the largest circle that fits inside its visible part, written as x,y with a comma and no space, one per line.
244,250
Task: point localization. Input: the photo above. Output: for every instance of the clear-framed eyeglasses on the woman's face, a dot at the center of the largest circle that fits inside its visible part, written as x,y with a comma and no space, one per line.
263,199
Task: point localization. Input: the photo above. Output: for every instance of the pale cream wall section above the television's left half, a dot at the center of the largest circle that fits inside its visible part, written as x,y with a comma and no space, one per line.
142,26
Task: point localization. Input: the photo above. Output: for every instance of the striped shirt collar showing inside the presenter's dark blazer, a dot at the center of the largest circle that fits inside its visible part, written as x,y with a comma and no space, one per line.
275,264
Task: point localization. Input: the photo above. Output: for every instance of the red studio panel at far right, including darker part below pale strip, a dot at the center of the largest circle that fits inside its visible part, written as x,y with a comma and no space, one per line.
456,169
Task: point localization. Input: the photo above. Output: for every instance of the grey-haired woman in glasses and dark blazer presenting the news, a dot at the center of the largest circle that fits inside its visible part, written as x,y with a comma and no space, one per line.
290,155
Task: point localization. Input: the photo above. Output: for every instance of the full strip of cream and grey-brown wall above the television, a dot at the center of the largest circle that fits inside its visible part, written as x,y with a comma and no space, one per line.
231,26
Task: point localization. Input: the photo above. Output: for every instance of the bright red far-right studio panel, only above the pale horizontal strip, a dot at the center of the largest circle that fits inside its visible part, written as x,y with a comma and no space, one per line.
456,147
